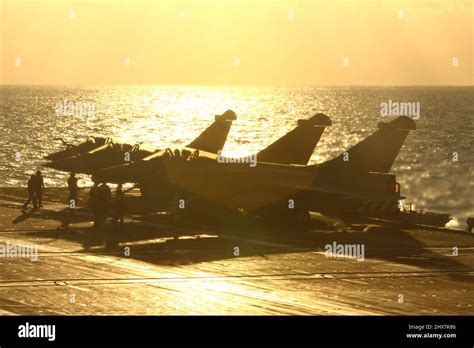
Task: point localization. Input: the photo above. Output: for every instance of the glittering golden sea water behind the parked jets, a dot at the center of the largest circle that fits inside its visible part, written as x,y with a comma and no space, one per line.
161,116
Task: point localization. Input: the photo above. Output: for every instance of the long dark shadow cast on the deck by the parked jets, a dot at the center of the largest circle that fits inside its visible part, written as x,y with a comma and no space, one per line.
384,243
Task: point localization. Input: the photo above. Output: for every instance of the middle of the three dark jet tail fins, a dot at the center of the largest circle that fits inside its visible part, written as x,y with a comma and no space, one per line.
297,146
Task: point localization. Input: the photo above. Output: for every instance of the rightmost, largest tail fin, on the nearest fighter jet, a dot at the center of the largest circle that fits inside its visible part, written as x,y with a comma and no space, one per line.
377,152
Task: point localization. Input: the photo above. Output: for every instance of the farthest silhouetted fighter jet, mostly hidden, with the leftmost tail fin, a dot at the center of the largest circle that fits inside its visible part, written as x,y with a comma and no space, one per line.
111,154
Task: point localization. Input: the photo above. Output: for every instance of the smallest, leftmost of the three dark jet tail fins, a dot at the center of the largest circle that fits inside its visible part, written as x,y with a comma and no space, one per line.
214,137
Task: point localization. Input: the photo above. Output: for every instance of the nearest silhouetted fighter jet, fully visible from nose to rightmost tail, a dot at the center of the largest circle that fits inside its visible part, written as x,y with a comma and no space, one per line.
357,182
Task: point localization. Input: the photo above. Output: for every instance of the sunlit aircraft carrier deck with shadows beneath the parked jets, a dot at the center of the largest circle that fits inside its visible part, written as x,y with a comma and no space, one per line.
404,272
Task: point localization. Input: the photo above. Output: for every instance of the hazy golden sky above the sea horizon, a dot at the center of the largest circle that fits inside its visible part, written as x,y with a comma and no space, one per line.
263,42
